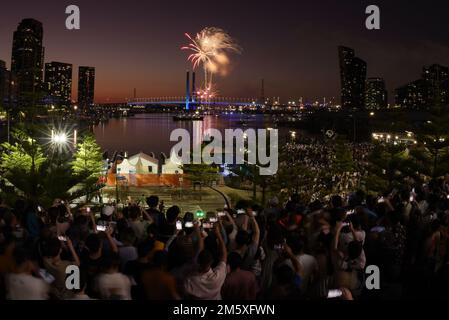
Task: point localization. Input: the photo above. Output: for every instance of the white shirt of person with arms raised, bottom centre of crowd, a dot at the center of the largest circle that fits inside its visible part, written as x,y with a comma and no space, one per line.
207,286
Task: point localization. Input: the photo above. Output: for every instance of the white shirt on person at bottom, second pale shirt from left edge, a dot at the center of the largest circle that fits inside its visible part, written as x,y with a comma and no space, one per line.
114,284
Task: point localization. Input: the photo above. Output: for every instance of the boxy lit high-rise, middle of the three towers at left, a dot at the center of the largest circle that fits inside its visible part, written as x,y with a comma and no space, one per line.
58,83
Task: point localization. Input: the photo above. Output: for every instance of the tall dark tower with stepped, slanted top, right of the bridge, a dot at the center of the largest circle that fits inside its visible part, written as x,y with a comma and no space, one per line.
353,77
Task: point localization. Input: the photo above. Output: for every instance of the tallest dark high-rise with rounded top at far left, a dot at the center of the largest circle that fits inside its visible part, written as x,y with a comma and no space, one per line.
27,60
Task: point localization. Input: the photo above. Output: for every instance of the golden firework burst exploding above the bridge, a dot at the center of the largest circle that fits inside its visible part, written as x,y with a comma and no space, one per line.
211,48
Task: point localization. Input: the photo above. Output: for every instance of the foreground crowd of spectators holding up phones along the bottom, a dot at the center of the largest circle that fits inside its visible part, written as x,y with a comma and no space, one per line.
289,250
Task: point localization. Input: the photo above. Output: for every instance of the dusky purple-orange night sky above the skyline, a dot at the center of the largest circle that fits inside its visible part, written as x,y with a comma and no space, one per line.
292,44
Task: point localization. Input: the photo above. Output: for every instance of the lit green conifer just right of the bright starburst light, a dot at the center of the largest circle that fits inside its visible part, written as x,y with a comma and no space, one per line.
87,164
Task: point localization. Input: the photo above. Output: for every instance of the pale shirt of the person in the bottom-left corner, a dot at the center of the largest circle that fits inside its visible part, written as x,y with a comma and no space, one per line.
26,287
